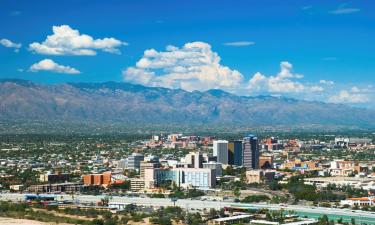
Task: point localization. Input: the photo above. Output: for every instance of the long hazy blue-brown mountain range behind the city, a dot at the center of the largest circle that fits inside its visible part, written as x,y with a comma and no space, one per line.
128,103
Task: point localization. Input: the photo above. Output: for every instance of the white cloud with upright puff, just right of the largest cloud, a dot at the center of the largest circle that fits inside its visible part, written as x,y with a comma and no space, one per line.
280,83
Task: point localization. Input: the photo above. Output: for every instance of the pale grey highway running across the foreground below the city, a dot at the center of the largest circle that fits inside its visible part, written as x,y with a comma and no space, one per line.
365,217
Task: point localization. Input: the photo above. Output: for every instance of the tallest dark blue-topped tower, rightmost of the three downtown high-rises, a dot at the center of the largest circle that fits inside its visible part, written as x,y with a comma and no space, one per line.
250,152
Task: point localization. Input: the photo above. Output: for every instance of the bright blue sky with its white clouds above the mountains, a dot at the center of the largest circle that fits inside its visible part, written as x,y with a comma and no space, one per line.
315,50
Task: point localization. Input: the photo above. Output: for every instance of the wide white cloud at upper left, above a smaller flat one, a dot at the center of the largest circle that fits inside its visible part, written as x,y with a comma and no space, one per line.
67,41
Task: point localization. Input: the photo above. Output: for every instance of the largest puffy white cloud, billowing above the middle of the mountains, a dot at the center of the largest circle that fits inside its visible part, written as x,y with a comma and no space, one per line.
194,66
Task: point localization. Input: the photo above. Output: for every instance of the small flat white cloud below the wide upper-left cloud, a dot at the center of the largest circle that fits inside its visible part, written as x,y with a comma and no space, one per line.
51,66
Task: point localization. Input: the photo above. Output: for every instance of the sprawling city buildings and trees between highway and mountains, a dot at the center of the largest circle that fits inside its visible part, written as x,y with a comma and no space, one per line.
201,167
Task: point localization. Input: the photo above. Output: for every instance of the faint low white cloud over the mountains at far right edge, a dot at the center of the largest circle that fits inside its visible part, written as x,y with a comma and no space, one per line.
354,95
